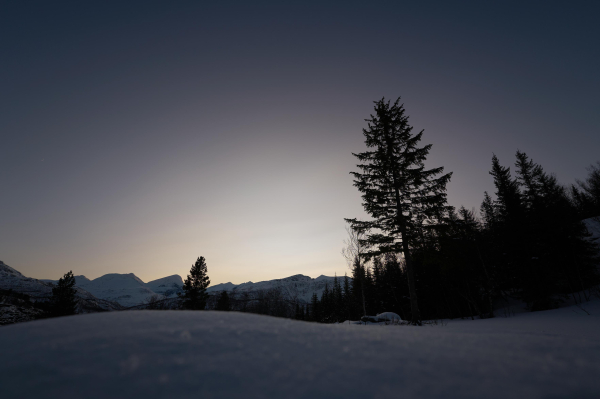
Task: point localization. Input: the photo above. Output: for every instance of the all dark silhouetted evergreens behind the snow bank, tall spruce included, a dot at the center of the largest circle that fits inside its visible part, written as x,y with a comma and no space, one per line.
423,259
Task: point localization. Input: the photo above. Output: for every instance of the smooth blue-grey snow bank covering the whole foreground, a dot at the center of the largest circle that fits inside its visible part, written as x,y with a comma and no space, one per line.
183,354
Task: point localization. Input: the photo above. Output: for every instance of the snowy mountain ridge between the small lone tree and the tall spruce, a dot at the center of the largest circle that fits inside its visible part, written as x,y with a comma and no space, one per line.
298,287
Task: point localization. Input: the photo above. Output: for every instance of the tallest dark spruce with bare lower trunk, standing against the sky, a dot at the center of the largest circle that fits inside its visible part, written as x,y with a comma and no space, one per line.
403,198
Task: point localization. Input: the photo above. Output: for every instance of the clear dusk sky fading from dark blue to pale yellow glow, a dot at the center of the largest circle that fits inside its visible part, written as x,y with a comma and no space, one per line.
137,136
